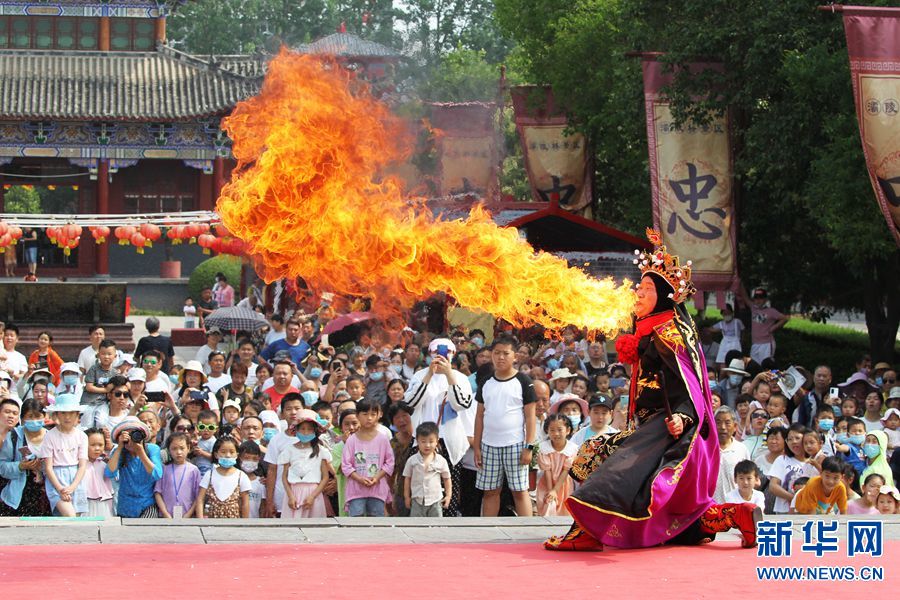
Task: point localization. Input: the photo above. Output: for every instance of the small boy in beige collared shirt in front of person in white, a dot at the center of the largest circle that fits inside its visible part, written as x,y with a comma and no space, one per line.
423,474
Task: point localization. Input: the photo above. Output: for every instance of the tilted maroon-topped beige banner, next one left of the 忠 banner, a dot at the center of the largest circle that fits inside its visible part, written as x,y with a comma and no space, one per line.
558,165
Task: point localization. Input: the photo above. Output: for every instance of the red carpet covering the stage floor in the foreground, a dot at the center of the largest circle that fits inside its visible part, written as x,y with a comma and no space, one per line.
333,572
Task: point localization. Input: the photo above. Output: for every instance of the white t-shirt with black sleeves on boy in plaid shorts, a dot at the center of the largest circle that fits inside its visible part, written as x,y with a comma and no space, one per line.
504,415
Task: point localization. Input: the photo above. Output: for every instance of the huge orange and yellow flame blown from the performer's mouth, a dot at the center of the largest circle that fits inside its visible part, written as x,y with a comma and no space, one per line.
307,199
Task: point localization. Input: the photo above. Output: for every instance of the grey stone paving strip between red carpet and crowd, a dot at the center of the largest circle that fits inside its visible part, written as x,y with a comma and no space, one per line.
341,530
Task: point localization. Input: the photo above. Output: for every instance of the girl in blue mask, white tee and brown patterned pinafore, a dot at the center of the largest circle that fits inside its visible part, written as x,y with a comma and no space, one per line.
224,490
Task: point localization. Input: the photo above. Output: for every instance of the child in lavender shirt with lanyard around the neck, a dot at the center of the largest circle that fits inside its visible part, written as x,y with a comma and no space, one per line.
176,492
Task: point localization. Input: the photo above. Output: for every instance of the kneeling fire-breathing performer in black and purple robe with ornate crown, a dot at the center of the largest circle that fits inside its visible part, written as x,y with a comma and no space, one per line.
653,483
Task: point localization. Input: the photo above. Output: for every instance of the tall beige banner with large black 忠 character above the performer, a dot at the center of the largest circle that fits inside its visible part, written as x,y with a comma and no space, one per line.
691,183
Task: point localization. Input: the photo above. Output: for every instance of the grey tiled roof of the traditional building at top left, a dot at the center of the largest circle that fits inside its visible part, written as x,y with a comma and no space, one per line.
162,85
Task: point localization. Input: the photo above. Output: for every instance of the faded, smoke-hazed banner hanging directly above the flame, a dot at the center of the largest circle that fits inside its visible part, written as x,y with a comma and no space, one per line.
466,142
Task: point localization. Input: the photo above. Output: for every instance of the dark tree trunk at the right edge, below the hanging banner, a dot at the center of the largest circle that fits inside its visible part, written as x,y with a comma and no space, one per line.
882,301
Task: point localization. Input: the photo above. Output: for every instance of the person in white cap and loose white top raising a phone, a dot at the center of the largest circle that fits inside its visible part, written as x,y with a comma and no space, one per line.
440,394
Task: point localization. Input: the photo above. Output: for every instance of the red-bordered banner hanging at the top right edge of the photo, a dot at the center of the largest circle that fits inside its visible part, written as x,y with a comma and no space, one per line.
873,42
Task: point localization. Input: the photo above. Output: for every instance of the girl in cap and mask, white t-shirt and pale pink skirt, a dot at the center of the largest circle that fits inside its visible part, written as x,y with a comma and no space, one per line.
306,470
